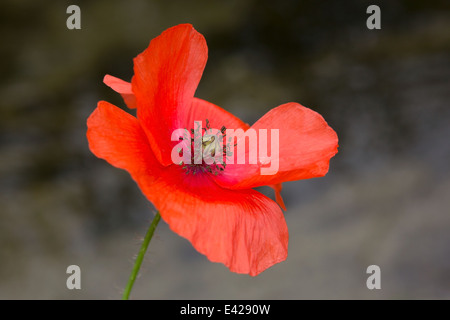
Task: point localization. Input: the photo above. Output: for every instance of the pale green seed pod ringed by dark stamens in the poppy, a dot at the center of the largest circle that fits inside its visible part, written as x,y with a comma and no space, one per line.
208,153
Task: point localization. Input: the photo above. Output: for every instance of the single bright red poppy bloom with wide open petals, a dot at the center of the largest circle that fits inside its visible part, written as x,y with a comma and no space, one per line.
218,212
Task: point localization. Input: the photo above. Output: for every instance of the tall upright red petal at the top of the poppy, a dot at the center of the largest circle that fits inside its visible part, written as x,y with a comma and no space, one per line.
166,76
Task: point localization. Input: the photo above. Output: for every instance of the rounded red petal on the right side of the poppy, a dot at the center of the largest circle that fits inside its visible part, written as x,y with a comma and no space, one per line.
306,144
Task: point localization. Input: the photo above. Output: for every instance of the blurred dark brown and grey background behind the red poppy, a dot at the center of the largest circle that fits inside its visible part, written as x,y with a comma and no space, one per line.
385,200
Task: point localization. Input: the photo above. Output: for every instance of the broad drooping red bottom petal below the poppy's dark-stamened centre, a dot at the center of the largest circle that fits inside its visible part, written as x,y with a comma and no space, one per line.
242,229
